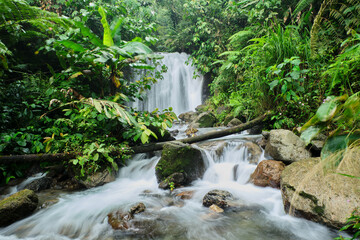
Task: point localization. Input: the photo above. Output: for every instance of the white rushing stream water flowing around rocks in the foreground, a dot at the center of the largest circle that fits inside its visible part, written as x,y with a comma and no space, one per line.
83,215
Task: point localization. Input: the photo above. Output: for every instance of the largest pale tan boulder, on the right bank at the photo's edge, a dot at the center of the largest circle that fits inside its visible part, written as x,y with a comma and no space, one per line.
329,199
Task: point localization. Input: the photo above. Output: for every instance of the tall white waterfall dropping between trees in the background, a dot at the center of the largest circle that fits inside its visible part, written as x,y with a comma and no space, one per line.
178,89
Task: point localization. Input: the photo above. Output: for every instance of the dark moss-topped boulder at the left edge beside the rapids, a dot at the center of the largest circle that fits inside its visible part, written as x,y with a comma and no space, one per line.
17,206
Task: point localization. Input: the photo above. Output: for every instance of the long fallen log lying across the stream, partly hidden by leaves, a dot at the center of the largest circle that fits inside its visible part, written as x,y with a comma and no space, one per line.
136,149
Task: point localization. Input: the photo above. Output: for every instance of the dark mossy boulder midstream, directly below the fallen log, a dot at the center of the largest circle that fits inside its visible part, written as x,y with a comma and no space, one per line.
180,158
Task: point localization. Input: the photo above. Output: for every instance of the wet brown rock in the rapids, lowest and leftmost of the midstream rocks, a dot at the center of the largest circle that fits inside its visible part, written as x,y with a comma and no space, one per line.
121,221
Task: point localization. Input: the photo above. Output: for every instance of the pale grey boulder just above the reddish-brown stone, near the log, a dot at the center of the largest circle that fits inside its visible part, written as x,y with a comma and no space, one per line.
285,146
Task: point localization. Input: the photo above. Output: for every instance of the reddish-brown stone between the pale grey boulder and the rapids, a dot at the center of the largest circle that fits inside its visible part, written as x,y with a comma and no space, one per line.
267,174
